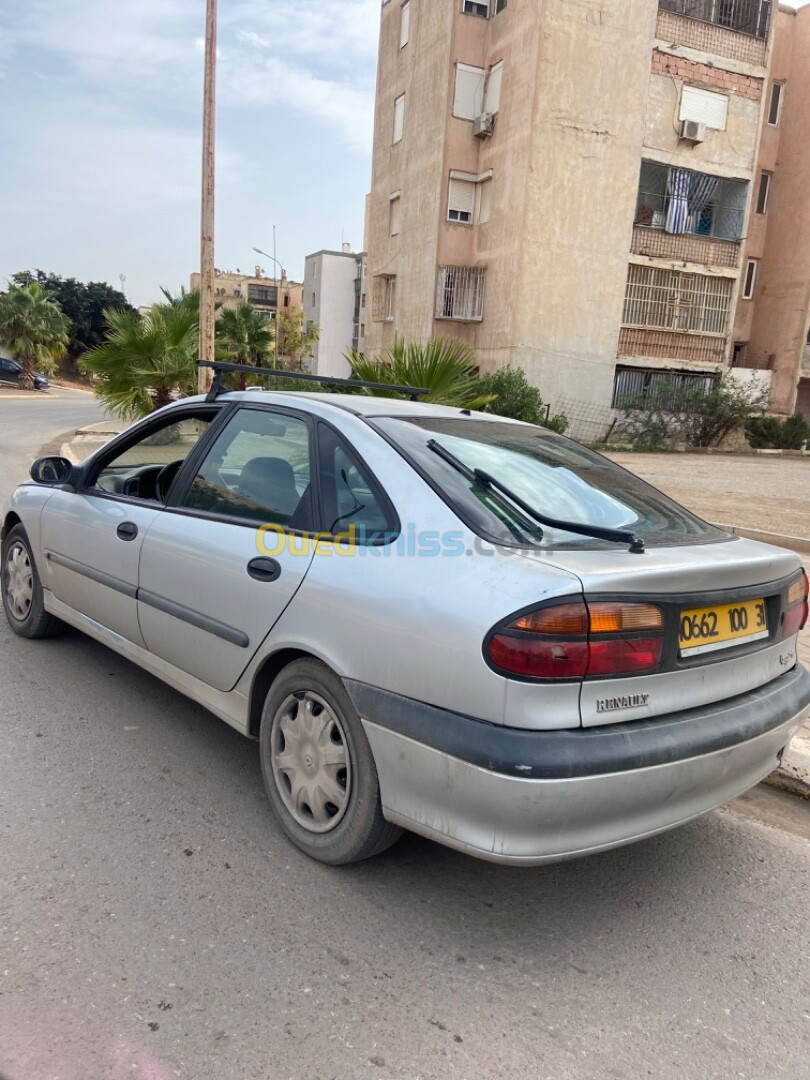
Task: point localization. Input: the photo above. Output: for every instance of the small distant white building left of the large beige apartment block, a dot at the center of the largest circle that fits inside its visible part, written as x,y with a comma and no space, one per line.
334,300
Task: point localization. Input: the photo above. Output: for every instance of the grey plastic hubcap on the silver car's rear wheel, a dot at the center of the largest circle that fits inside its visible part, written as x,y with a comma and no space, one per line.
310,760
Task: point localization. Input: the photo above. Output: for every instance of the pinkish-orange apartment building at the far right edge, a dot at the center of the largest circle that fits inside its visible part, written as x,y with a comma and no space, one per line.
773,325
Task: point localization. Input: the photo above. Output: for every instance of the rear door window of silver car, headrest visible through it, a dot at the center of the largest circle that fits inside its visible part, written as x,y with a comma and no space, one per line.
258,469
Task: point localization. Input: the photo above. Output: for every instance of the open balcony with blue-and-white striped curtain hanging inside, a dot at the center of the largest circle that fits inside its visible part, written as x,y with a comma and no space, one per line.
690,217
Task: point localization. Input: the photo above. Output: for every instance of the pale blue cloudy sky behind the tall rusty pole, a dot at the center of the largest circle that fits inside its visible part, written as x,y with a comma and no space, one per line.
100,125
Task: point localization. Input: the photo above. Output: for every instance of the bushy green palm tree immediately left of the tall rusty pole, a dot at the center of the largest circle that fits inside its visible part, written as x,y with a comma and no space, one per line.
146,360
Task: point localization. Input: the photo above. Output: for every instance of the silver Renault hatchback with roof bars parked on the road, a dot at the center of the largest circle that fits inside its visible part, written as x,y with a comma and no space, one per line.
430,619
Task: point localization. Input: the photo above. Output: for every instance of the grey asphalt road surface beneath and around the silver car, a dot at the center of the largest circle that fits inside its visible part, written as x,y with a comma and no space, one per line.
155,924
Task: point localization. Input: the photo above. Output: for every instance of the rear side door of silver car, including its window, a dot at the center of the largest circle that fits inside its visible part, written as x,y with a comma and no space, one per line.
220,568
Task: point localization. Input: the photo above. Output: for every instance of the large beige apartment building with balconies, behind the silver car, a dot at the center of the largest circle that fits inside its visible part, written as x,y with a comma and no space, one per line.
569,187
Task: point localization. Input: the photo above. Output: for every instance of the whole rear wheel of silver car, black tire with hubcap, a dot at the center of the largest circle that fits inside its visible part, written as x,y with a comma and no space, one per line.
319,771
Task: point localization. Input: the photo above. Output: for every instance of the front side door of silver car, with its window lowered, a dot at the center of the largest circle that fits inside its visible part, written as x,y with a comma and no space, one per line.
92,538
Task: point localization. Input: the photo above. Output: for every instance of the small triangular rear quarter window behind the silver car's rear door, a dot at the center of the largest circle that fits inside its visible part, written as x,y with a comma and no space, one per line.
352,499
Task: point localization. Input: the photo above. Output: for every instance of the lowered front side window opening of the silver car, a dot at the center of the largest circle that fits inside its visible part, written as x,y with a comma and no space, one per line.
146,468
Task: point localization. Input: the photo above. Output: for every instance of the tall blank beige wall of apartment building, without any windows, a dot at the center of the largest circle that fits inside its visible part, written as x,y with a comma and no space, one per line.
590,123
